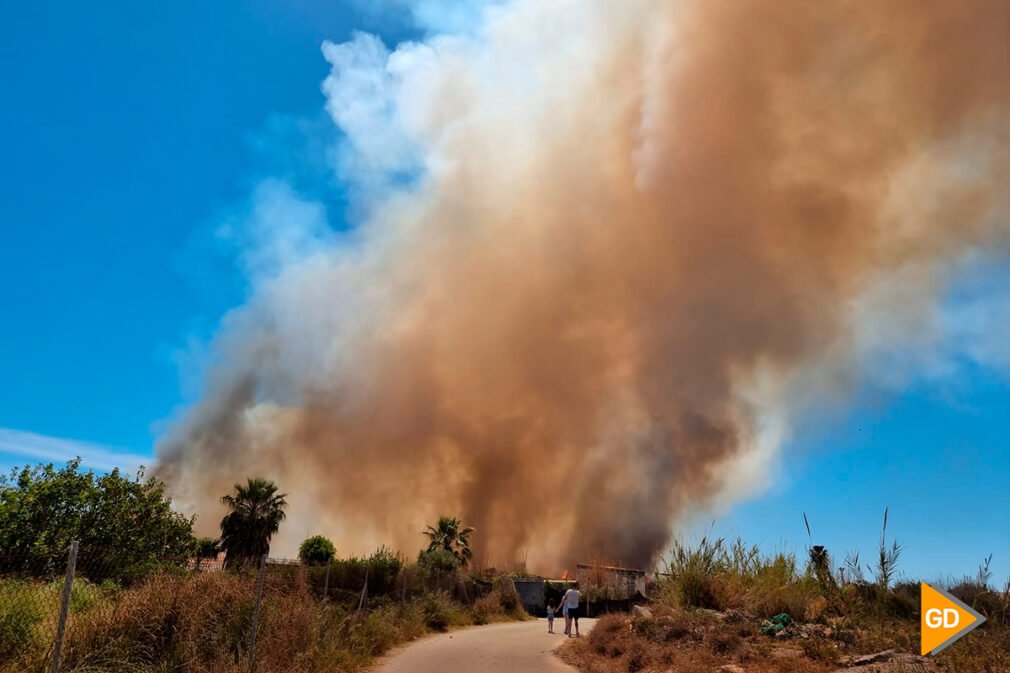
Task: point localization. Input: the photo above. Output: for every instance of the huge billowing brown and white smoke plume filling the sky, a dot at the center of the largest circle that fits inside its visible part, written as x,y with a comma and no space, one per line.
604,249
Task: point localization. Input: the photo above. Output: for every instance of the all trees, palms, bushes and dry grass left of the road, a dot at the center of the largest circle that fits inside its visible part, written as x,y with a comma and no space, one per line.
148,598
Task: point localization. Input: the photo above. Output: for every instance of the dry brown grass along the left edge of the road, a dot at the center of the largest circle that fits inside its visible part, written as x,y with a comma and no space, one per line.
201,624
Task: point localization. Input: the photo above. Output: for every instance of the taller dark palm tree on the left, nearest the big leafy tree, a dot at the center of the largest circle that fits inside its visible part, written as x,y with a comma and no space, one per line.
257,511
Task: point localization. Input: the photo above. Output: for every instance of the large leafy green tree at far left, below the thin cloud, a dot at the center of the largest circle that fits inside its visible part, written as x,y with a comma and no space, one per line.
125,525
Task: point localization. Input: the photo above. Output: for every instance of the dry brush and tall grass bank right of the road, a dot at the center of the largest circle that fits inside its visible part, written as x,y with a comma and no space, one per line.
728,608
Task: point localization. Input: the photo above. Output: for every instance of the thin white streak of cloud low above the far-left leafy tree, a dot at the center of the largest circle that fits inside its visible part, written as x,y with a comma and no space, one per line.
58,450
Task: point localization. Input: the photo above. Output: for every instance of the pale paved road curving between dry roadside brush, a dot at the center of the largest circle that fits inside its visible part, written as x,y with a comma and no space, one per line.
519,647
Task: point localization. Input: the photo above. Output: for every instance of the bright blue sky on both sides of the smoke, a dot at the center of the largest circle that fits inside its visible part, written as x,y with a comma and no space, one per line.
131,130
